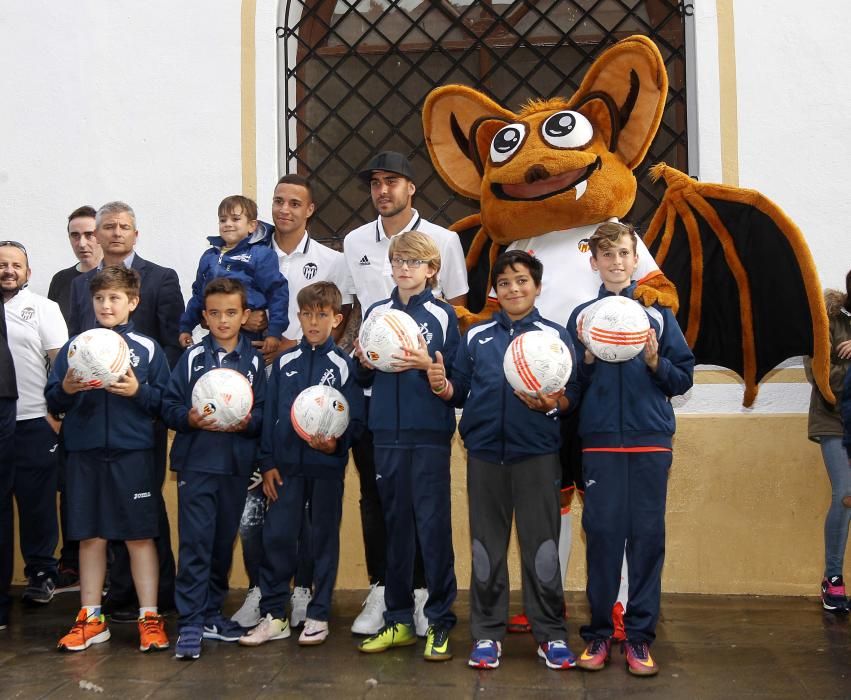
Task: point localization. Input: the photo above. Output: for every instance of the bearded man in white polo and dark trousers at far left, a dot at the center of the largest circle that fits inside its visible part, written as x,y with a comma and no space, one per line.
36,331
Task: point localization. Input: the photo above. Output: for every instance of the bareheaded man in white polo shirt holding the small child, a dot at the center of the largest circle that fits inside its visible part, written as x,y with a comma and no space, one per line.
302,261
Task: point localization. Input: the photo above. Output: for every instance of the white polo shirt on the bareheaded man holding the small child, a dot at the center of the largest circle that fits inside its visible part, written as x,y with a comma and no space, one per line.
310,262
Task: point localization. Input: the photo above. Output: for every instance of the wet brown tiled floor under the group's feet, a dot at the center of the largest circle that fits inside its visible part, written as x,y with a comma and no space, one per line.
707,647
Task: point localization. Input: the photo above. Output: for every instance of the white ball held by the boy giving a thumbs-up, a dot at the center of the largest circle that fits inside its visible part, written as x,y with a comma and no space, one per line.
537,361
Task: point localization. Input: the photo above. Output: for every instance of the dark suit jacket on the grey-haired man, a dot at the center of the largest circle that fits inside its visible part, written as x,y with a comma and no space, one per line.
158,313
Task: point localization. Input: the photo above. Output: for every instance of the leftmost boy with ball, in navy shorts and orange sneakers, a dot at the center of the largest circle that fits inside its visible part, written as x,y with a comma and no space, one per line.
110,484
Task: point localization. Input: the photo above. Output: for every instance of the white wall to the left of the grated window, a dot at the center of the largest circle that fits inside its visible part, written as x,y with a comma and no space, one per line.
122,100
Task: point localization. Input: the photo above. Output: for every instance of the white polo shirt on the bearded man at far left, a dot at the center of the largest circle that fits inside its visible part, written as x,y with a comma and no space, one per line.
35,325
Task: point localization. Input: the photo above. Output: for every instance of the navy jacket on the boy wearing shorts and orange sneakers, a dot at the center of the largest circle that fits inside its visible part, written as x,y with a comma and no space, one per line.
97,419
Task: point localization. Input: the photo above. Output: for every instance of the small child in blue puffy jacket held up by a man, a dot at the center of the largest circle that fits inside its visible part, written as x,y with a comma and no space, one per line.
255,266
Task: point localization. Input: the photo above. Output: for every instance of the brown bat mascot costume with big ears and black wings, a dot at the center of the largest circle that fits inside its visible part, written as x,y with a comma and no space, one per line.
547,176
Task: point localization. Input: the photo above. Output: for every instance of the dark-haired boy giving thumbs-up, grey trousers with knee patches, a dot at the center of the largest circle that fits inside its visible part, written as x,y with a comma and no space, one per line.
513,468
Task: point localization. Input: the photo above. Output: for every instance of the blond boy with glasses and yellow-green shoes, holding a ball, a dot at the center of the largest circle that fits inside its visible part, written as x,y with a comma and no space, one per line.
412,428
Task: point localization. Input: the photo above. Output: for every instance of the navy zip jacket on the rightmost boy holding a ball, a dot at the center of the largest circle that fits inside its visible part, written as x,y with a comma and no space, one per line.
625,404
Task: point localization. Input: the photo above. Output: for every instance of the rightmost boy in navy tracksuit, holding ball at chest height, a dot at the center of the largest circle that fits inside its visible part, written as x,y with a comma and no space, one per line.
626,424
